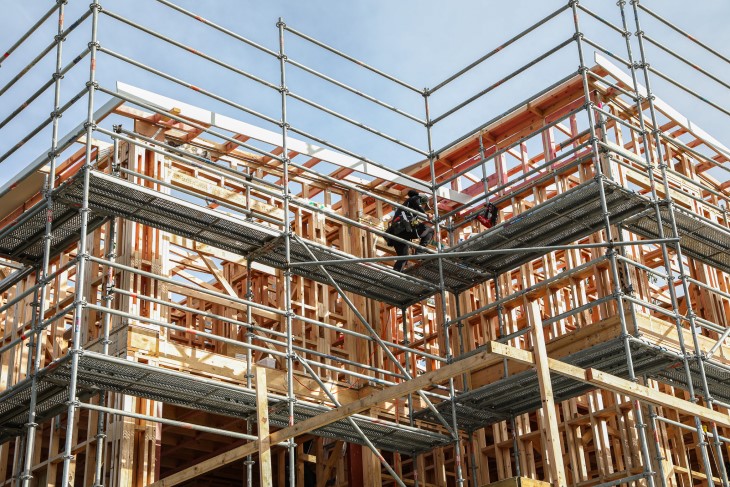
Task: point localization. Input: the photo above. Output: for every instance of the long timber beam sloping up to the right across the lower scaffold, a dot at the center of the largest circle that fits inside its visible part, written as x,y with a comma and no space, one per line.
421,382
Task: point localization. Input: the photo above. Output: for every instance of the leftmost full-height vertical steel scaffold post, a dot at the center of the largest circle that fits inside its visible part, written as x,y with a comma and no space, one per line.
42,273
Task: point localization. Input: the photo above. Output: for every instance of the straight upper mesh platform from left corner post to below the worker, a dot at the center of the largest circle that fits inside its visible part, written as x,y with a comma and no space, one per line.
111,196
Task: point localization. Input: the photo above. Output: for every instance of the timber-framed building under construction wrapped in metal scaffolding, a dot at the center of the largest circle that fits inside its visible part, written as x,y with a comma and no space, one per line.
192,298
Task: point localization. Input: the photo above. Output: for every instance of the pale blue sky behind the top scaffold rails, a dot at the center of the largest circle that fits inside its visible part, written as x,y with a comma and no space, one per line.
421,42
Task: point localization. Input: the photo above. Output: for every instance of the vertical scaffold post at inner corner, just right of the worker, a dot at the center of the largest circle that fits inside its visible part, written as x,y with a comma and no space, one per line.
442,292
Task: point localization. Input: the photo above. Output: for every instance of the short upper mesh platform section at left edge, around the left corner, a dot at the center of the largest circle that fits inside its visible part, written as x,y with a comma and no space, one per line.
22,240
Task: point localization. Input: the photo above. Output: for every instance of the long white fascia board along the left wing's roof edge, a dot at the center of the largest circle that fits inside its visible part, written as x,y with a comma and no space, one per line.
275,138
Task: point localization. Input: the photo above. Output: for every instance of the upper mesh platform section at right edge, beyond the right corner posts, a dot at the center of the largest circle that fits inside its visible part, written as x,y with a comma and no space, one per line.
700,239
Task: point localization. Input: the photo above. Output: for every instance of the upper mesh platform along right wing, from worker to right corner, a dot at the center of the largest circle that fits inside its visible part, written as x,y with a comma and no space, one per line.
561,220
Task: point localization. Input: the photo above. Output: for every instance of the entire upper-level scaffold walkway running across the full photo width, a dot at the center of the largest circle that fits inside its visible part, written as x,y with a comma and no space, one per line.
562,219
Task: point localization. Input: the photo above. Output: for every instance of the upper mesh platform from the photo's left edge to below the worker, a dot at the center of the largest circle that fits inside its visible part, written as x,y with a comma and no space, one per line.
111,196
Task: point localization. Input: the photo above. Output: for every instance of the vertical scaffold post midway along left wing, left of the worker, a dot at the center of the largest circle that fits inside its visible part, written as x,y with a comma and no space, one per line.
287,250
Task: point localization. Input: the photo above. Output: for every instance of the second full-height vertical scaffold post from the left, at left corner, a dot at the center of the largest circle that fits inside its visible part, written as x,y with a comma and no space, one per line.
81,265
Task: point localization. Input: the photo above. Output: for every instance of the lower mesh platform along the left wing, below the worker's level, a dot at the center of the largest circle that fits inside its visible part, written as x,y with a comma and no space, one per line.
100,372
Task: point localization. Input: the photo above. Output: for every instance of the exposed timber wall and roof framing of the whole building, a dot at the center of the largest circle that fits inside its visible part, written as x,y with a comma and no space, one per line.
550,308
